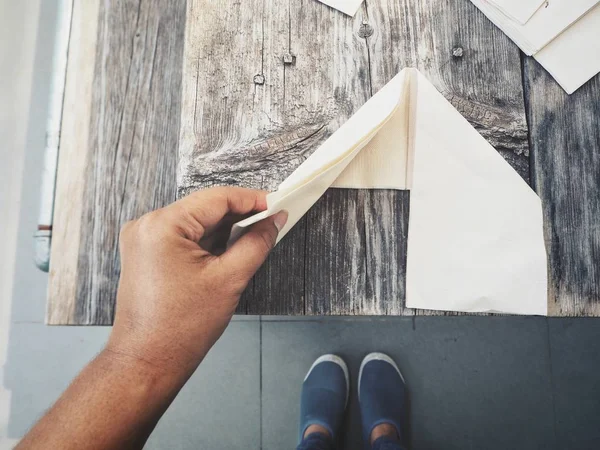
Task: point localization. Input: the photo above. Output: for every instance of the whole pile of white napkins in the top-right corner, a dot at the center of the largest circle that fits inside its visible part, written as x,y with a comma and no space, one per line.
563,35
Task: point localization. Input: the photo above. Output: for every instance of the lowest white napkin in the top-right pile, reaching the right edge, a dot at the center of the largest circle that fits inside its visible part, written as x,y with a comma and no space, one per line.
574,56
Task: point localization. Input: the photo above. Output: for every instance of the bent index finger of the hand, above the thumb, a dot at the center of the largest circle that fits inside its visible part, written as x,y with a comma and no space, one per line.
203,210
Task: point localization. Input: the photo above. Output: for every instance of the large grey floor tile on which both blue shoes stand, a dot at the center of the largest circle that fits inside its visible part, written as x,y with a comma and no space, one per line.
474,382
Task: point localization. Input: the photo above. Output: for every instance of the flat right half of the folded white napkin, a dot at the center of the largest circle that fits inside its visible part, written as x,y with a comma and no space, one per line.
475,239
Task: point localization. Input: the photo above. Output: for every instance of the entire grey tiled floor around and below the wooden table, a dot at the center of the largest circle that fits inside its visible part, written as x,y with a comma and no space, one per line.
474,382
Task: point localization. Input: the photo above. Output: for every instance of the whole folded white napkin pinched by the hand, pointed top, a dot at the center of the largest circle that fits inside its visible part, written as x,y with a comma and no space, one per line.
475,237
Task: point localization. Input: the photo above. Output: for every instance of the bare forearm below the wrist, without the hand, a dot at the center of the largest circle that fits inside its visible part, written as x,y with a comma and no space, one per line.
115,402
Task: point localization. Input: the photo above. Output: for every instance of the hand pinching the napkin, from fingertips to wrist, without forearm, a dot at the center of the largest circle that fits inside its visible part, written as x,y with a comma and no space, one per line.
175,296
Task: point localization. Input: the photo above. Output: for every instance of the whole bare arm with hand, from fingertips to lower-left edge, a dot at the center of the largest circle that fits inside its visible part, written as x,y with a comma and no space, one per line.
175,299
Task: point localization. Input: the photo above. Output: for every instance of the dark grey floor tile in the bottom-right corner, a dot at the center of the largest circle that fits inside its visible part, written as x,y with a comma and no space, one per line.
575,350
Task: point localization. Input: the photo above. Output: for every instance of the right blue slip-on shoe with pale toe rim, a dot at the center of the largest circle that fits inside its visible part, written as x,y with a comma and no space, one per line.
381,394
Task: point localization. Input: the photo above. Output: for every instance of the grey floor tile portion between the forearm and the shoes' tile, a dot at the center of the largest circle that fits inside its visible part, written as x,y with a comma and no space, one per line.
220,405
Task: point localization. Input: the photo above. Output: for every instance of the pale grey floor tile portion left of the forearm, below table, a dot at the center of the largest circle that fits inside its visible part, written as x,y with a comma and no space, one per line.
41,363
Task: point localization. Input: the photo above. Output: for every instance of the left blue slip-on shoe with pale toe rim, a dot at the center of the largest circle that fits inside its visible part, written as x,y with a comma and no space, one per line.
324,395
